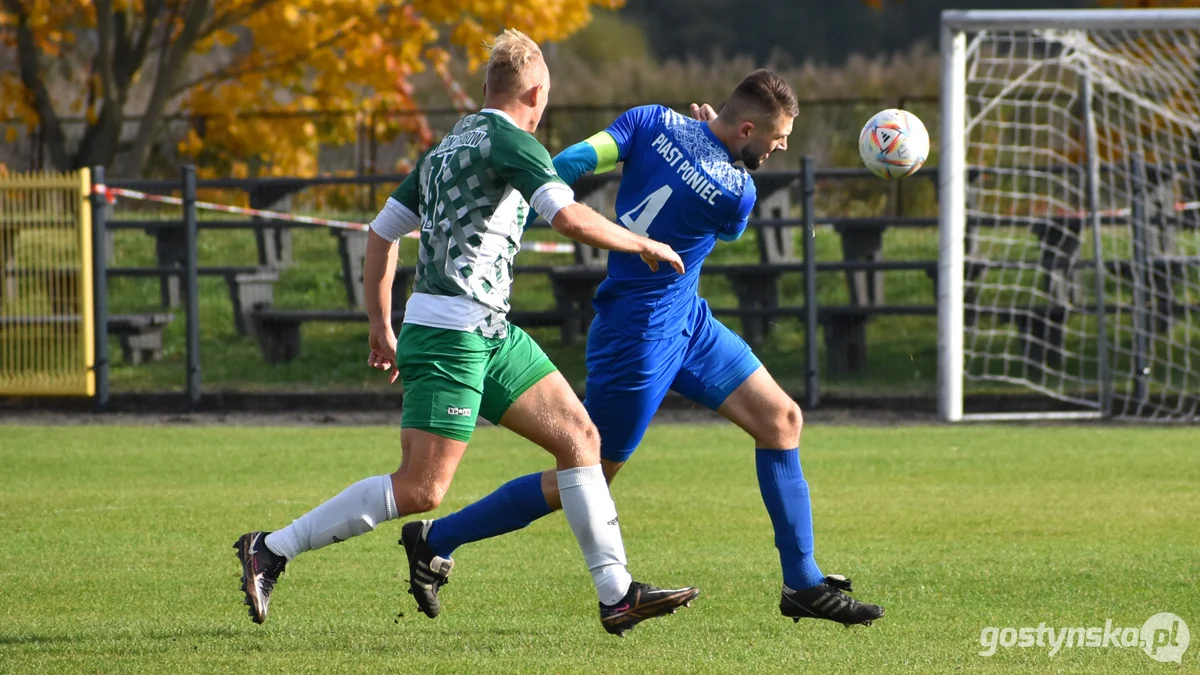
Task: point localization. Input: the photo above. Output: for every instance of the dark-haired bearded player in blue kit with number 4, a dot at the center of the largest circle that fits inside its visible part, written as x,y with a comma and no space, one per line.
653,333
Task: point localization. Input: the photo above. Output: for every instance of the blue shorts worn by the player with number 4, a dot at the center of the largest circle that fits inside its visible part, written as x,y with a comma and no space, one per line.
628,378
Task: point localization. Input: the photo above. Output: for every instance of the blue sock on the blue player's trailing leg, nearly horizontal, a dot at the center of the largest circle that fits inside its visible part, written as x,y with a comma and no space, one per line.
512,507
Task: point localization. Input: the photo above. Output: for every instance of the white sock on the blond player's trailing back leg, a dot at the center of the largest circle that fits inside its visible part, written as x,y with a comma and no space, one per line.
357,511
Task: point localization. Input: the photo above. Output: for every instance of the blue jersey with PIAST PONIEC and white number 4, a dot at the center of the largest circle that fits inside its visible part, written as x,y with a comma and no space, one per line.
679,187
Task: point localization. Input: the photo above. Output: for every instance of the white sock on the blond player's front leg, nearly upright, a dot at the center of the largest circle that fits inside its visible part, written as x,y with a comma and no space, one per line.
593,518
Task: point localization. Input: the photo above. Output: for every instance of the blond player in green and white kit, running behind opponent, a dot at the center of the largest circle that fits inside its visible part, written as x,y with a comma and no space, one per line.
459,357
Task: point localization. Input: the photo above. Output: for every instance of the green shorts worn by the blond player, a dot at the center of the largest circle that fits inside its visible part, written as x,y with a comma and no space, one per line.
453,378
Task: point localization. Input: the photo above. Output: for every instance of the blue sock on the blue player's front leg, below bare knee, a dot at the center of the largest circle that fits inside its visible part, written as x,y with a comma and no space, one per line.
787,494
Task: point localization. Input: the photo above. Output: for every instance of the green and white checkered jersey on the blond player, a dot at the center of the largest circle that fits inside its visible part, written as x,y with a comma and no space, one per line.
472,193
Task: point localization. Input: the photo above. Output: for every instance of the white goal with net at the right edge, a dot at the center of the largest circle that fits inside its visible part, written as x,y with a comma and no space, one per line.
1070,210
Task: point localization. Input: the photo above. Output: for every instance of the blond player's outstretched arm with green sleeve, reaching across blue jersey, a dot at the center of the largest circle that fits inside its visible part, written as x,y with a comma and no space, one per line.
527,166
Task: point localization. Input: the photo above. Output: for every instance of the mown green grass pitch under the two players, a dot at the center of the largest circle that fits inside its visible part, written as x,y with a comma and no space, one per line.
118,553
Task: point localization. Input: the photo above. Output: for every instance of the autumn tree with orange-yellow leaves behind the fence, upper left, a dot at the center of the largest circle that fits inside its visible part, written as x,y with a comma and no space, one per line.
111,62
